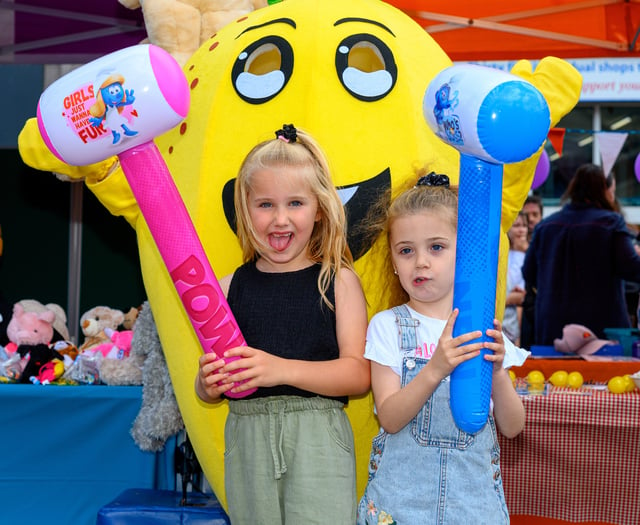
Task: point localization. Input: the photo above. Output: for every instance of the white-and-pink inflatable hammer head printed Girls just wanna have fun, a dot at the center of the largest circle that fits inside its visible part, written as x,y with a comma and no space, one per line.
113,104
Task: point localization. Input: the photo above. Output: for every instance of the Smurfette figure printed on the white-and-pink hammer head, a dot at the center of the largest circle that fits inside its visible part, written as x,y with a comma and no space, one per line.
111,98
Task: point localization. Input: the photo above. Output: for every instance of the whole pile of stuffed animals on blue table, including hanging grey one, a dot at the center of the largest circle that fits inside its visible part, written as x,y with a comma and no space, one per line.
118,349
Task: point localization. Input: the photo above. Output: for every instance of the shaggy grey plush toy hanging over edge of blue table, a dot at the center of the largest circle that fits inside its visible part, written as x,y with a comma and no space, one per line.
159,417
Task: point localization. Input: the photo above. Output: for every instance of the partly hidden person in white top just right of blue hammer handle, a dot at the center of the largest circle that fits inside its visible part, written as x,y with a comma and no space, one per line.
518,245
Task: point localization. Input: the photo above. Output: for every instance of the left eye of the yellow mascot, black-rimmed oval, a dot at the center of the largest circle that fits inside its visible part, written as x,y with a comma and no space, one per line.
262,70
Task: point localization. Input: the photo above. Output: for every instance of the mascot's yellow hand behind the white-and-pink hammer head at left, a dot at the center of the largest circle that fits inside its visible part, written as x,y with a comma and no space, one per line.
35,153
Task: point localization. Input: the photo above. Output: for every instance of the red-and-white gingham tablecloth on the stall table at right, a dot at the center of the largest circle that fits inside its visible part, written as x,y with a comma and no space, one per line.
577,459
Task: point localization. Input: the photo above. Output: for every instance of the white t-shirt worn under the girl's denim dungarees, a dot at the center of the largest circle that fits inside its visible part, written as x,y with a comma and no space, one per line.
383,345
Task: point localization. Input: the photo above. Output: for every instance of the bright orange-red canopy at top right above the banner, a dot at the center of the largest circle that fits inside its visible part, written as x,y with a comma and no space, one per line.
498,30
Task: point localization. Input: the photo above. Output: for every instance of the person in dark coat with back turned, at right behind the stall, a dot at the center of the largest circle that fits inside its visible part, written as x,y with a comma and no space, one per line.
579,259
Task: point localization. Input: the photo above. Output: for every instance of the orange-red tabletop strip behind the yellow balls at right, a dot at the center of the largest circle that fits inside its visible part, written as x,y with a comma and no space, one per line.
596,369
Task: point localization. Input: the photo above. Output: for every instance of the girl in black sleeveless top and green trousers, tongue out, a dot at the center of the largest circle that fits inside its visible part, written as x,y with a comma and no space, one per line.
289,454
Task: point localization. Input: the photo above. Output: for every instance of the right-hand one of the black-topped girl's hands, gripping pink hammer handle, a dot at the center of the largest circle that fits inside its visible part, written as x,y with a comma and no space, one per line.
260,368
